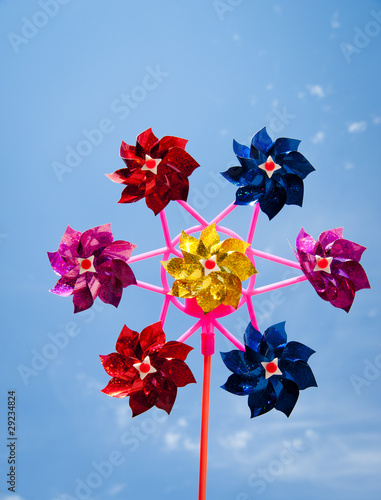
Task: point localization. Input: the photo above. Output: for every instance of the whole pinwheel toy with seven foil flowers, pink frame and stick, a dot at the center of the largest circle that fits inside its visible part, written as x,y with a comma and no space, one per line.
214,274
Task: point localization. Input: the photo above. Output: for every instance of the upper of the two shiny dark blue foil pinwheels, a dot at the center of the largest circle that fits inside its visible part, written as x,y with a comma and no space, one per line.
271,173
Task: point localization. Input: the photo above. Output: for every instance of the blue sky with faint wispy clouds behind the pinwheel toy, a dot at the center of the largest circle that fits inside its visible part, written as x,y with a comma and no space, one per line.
218,71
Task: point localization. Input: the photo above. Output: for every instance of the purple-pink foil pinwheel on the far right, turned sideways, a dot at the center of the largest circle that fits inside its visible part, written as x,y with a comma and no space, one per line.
331,265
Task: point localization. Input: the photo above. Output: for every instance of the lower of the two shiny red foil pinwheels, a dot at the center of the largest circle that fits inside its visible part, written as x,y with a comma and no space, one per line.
147,369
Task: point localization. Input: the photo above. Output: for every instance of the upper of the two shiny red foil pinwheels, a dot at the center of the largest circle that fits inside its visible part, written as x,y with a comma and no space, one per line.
156,169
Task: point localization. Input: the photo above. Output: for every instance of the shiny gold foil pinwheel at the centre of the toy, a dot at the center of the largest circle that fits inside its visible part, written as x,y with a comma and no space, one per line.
211,271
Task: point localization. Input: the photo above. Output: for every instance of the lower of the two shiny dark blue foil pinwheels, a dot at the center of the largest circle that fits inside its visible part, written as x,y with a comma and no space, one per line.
271,371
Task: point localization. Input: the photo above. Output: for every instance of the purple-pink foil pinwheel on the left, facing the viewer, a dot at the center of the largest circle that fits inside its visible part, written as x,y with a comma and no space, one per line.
92,265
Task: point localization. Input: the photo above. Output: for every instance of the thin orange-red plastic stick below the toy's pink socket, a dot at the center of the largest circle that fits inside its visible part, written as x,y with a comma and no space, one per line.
204,427
